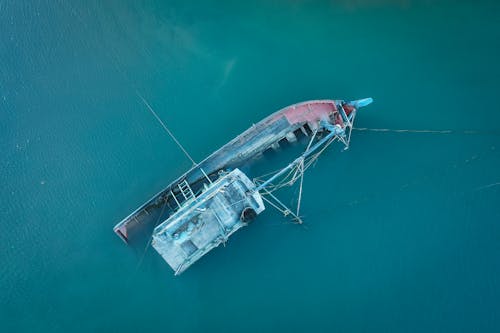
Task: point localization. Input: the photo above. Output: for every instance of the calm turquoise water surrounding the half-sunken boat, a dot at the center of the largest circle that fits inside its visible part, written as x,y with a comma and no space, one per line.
402,231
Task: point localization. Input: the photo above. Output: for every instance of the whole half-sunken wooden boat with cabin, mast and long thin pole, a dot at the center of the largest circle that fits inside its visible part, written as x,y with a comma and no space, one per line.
203,207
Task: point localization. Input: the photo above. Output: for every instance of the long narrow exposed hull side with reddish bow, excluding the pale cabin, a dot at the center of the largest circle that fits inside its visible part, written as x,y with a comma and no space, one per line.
284,124
